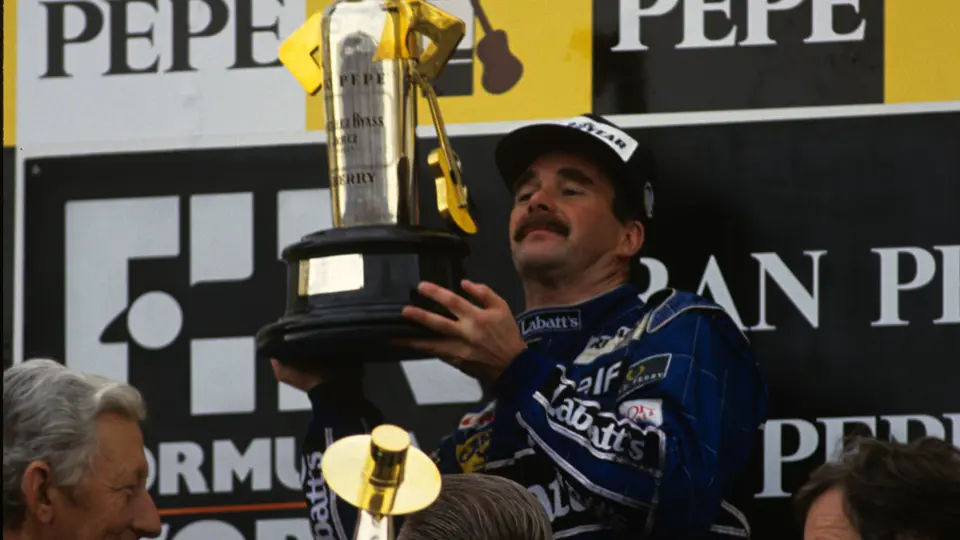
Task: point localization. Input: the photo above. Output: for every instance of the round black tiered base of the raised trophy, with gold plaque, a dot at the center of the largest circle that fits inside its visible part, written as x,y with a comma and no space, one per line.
347,287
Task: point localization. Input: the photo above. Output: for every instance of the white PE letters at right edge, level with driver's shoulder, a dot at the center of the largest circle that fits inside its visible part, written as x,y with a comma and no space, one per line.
891,284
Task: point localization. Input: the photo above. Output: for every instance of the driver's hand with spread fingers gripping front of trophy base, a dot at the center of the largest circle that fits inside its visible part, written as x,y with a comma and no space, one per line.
481,342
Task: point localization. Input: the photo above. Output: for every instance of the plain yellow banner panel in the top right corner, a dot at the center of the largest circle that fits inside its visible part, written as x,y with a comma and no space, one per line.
922,50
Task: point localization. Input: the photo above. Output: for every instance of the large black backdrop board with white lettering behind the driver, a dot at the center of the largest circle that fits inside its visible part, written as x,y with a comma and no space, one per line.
835,243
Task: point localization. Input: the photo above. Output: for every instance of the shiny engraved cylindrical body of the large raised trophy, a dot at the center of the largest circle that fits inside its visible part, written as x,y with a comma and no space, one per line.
370,126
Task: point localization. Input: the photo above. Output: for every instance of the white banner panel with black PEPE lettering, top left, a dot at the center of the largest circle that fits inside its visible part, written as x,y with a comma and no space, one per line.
199,63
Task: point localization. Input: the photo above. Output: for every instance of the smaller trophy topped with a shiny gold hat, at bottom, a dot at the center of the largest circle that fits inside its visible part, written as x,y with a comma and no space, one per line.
383,476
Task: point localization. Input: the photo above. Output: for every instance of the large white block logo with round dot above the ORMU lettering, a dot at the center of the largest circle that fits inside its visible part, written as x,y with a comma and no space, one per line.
110,304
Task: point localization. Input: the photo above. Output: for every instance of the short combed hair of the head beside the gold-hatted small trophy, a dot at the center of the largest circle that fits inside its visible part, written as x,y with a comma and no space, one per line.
478,506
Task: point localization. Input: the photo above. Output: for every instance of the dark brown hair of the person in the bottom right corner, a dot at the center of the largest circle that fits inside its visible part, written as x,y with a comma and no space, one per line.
891,490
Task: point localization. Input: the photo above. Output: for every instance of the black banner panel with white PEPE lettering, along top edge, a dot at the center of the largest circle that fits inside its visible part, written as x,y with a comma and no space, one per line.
670,56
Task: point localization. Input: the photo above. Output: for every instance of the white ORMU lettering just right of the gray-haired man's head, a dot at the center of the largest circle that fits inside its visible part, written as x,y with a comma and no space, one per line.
183,460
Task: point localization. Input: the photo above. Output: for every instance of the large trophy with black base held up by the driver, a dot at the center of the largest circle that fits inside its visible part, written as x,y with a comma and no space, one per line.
347,286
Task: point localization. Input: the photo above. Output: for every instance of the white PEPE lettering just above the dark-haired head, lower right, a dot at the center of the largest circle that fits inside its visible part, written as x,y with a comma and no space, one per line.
830,444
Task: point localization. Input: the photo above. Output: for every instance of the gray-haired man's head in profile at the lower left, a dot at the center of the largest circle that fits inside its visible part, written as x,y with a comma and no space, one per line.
73,461
